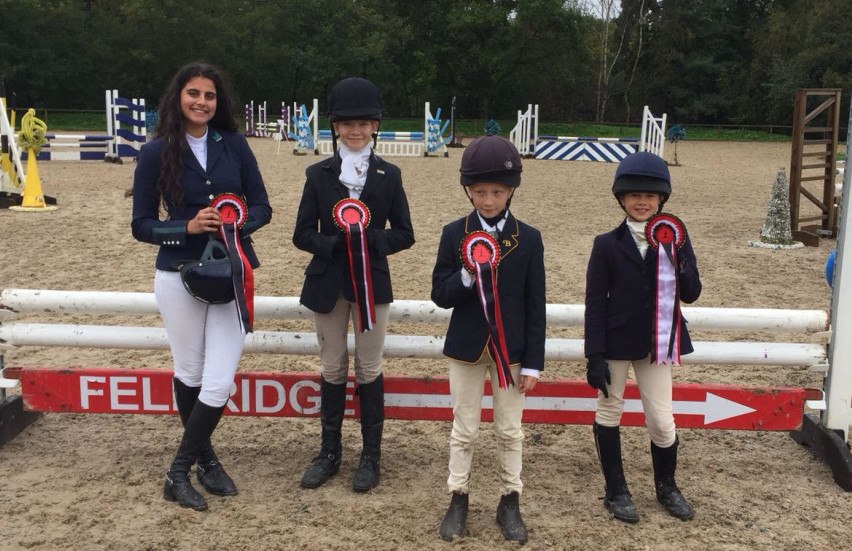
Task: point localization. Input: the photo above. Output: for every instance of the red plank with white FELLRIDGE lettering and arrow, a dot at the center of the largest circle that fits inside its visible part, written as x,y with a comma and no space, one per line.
146,391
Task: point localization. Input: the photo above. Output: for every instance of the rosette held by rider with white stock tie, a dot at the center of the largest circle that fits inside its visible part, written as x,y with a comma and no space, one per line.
352,217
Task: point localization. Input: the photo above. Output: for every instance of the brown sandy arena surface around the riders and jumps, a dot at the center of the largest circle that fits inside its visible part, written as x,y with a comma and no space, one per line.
95,481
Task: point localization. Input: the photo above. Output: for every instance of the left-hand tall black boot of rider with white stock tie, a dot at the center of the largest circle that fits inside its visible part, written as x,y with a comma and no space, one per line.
327,462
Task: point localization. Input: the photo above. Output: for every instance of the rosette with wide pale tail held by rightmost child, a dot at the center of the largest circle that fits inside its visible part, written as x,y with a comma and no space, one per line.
666,233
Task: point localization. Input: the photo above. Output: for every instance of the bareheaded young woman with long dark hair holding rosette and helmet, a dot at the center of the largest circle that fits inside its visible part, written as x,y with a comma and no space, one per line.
202,174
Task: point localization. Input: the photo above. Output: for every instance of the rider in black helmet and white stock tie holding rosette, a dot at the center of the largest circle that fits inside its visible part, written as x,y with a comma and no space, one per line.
347,204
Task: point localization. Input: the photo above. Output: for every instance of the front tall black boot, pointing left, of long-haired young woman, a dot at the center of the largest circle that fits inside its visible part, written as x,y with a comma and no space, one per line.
200,425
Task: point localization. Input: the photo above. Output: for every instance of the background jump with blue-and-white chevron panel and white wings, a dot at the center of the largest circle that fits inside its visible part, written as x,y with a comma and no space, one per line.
579,148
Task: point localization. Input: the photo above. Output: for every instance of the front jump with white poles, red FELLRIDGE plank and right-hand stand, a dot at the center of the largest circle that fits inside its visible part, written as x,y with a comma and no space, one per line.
97,390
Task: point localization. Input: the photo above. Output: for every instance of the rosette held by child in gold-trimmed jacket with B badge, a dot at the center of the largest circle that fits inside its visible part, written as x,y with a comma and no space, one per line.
480,255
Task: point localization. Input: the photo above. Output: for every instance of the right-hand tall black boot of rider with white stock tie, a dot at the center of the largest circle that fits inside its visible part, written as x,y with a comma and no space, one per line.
372,399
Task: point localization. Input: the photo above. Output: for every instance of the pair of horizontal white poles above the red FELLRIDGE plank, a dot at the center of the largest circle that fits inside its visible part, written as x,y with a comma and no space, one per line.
14,302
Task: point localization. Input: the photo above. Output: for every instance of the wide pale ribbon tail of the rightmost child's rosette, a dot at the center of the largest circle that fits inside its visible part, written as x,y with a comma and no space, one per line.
667,307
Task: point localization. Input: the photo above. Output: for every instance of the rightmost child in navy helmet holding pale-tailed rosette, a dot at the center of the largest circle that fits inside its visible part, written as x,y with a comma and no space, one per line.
638,275
